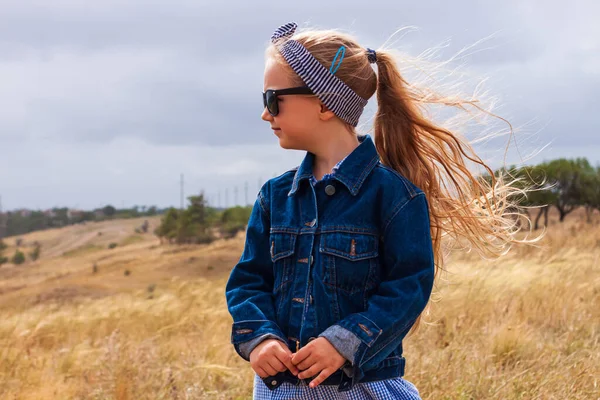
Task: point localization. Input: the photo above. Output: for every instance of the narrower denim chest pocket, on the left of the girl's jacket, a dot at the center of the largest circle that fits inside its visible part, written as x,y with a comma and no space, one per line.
283,246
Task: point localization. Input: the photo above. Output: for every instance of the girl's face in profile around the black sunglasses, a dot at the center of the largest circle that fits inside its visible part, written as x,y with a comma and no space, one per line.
297,123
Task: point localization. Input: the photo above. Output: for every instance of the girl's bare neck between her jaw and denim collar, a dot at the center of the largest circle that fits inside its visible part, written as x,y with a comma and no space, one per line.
331,151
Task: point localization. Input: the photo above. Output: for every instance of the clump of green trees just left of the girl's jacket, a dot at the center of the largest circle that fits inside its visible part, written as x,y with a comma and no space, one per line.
199,223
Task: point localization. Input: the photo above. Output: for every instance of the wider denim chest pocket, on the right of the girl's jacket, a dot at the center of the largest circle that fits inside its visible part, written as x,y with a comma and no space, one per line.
349,260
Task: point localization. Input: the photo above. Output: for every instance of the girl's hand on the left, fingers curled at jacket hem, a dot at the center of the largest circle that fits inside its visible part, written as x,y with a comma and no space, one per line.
270,357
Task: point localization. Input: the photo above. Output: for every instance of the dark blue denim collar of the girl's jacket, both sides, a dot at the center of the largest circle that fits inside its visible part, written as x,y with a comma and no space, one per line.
352,172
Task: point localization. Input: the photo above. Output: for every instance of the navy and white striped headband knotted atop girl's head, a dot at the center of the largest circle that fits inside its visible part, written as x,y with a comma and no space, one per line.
331,90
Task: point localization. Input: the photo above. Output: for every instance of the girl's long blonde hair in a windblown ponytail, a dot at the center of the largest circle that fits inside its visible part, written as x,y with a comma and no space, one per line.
475,212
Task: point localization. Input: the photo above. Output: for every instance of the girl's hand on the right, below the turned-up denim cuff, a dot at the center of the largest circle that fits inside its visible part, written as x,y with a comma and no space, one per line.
318,357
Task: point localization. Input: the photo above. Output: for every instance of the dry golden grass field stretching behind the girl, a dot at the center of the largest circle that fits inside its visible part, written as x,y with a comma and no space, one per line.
150,321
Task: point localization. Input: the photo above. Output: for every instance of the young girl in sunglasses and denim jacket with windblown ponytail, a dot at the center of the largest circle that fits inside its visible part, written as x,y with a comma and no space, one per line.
341,252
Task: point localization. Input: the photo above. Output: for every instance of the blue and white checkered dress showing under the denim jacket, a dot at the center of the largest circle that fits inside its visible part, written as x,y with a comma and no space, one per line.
393,389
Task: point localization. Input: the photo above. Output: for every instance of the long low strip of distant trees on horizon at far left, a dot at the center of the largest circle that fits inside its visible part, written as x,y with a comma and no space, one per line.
19,222
